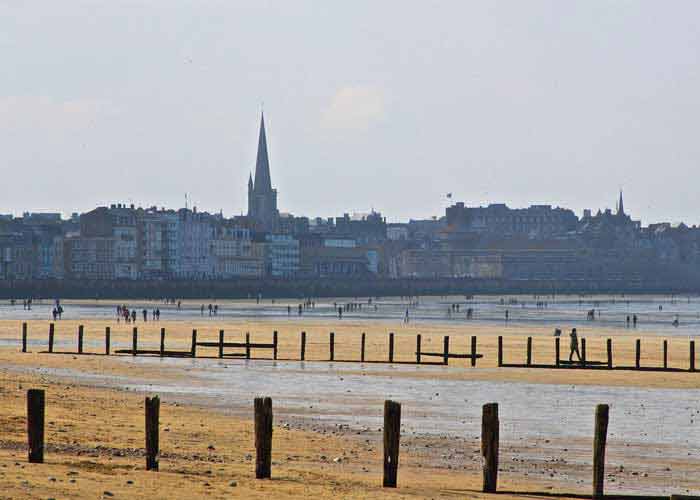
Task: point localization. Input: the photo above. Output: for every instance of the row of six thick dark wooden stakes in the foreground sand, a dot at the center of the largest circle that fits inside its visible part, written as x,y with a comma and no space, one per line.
490,426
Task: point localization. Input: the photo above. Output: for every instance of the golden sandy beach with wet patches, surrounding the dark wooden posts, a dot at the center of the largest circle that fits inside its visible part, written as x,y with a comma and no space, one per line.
328,415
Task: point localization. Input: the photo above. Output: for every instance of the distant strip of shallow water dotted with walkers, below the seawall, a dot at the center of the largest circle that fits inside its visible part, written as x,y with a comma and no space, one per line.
655,313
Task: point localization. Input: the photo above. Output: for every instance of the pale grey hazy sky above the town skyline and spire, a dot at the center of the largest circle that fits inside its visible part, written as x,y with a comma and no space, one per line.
384,105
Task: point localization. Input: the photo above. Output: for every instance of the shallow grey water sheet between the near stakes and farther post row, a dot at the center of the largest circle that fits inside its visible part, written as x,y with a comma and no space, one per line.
445,407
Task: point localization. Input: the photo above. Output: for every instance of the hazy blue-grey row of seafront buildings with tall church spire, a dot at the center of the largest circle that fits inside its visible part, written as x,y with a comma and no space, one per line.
125,242
